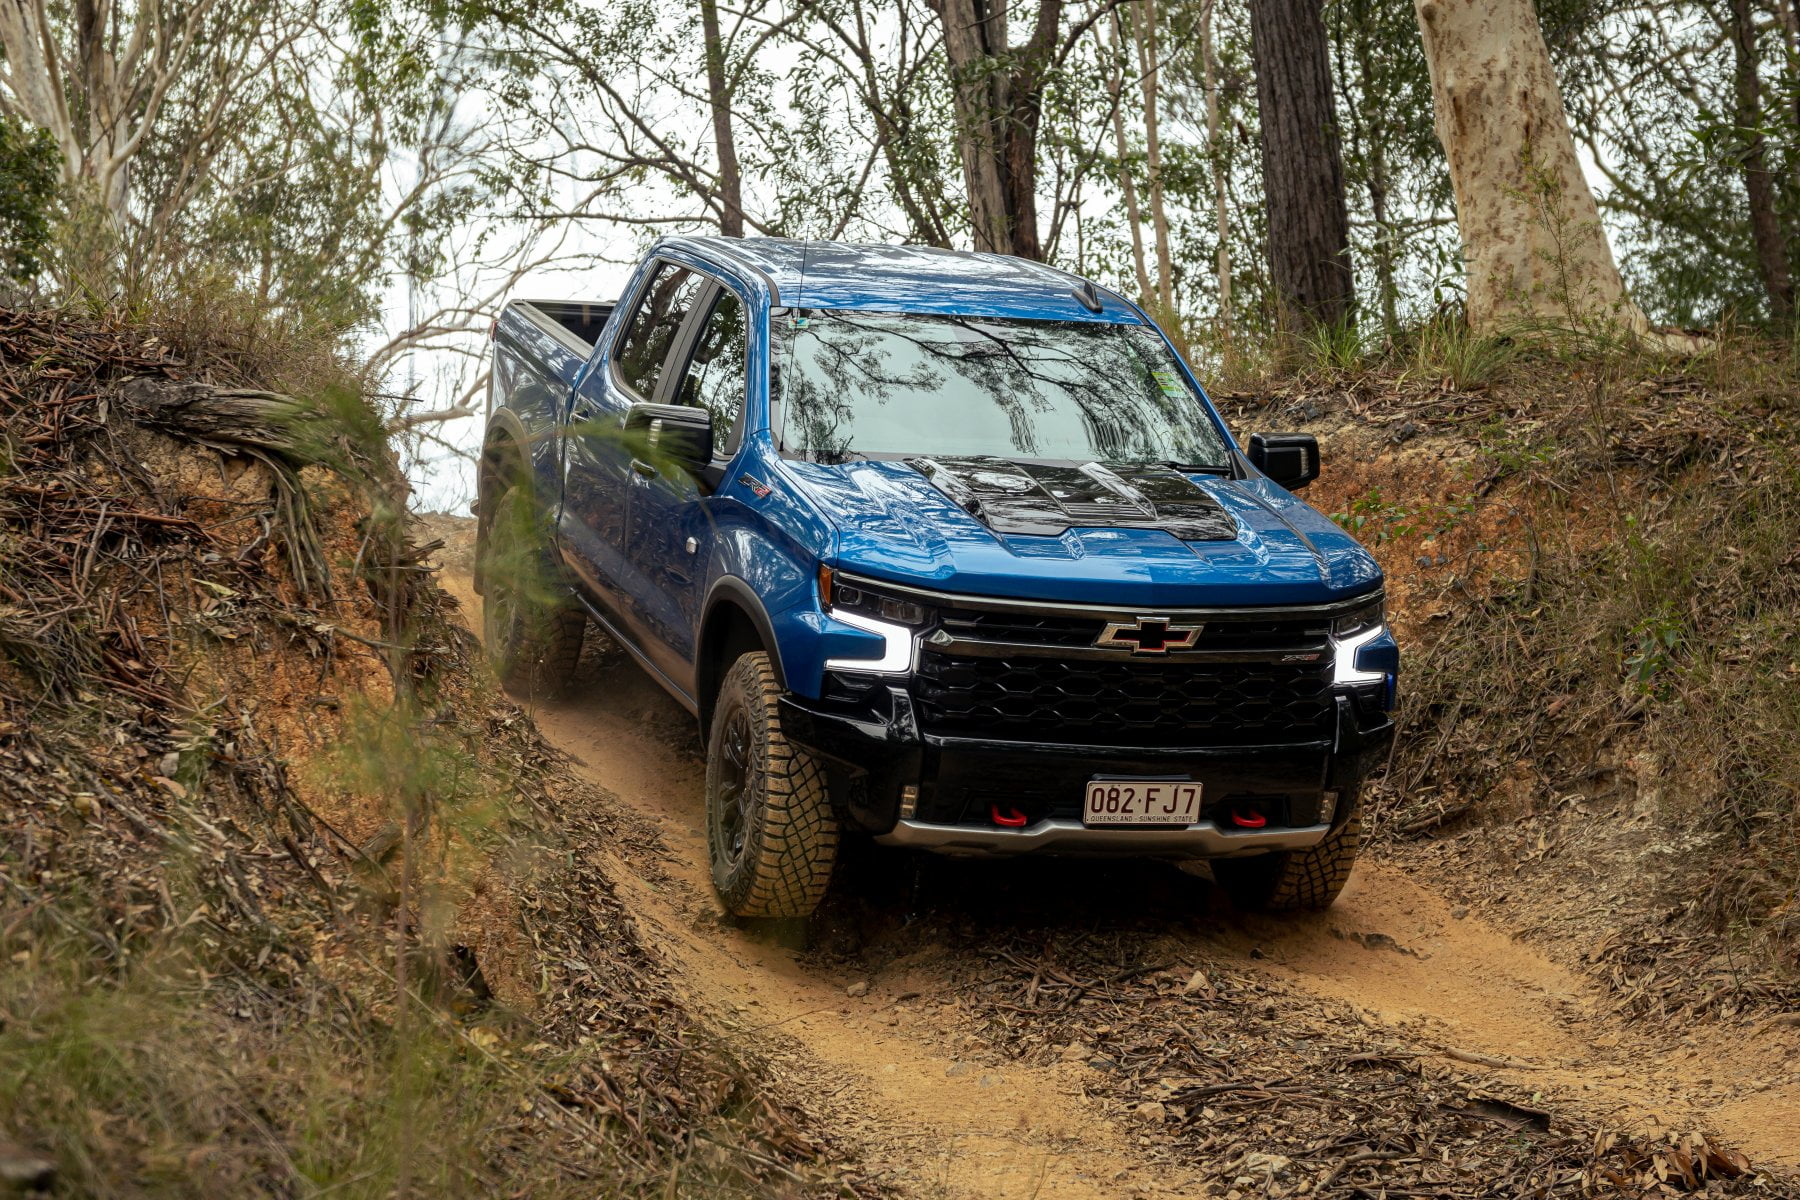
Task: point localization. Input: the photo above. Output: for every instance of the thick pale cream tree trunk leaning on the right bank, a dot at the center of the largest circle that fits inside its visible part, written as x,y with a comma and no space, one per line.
1529,224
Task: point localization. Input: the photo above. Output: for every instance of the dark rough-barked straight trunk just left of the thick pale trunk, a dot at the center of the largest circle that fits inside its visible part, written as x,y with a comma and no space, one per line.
1302,172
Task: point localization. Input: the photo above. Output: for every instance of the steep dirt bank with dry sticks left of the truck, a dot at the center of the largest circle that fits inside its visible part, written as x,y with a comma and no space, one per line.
292,899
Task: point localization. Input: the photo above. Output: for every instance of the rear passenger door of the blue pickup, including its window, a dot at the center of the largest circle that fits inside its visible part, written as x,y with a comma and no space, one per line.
598,479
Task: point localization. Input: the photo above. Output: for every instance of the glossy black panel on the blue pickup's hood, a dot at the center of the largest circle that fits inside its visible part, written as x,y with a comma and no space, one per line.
1025,499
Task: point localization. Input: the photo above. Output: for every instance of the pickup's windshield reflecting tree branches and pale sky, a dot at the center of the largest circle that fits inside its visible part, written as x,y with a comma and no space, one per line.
845,363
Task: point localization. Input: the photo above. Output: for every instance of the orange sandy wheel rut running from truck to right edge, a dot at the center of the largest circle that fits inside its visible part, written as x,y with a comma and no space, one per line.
1410,962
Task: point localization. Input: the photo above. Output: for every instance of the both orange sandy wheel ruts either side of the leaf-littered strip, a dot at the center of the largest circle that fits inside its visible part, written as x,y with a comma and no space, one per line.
1396,953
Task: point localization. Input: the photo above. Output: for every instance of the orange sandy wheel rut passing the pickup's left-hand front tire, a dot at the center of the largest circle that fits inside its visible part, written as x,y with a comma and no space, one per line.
930,1122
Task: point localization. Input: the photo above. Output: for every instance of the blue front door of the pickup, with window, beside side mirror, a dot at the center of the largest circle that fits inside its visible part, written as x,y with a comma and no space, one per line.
672,517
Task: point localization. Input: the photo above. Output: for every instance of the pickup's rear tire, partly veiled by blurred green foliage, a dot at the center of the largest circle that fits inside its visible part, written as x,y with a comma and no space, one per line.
532,627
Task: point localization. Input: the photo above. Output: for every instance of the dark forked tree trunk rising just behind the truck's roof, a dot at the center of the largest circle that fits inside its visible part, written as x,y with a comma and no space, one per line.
998,93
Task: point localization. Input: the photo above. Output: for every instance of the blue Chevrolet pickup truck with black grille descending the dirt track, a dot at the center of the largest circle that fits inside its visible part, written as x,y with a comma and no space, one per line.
942,550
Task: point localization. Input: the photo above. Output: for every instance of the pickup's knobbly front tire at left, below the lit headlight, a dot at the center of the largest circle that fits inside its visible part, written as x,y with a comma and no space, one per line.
771,793
